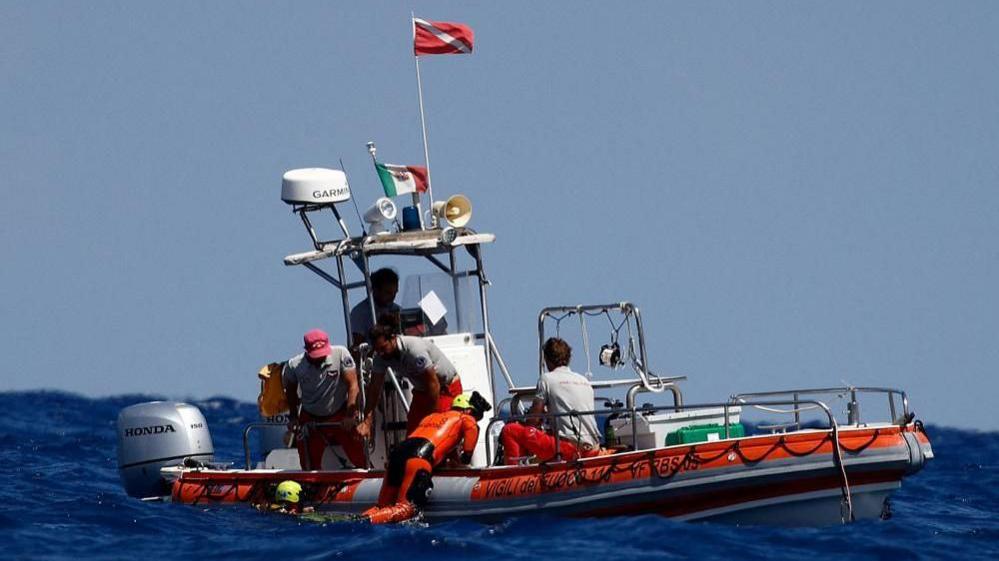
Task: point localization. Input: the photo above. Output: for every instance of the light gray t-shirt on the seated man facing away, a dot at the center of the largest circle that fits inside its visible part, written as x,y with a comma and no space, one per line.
562,391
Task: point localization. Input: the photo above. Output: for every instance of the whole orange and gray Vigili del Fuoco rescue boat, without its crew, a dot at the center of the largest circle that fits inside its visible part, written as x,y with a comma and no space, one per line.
798,464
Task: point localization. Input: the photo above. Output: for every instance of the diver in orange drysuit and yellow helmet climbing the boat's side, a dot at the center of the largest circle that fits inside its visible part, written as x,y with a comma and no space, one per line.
407,484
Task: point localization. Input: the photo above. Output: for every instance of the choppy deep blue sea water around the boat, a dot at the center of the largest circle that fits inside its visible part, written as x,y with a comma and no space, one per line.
61,499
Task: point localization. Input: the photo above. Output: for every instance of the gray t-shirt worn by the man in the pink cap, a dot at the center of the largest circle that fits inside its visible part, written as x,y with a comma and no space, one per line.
322,389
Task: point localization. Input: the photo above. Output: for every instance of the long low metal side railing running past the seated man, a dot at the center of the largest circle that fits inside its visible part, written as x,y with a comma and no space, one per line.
770,405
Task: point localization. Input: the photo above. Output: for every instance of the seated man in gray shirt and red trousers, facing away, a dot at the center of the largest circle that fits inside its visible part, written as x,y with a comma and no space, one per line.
560,390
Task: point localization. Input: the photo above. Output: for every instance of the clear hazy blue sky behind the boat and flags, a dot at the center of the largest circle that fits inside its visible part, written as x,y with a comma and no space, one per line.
795,193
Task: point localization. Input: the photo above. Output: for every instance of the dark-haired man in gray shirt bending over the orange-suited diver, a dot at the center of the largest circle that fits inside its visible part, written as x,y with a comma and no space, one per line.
434,379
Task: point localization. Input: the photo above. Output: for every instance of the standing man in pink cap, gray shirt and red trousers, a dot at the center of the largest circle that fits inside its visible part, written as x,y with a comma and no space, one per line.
323,381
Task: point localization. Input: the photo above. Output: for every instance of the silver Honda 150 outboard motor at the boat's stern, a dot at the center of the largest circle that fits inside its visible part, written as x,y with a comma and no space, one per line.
155,435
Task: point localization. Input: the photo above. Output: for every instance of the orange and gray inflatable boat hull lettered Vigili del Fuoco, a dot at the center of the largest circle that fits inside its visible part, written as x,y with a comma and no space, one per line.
784,479
